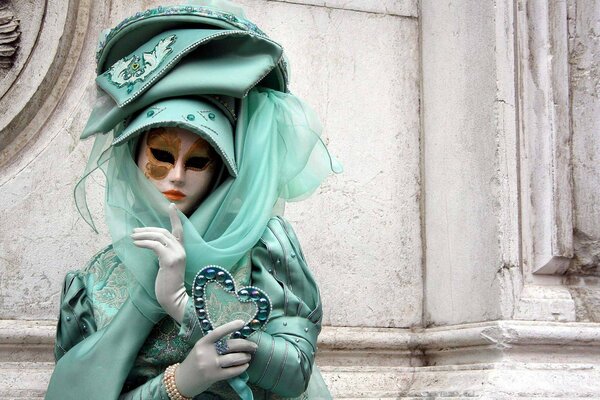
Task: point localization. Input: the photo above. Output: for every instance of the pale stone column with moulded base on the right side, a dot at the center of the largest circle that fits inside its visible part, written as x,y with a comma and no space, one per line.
509,94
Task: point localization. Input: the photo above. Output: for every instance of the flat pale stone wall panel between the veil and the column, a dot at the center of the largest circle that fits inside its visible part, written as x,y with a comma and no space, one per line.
361,232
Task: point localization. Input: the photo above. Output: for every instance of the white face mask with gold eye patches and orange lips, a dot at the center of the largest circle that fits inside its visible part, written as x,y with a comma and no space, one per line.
180,164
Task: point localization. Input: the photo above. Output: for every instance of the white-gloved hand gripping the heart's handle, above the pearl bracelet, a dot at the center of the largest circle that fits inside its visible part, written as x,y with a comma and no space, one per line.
204,366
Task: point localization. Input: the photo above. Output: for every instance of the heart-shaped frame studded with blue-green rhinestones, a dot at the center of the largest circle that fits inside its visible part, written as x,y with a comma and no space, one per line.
246,294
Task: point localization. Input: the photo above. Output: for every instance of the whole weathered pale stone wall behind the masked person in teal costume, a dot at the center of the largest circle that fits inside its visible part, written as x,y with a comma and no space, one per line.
457,255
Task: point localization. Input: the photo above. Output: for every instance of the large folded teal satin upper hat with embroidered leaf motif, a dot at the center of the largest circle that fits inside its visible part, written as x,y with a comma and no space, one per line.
178,51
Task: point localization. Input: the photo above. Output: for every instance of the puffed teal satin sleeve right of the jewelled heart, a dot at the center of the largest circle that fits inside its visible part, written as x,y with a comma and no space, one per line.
284,359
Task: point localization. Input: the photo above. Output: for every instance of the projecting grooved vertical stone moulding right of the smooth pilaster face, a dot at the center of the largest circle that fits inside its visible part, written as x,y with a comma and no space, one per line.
546,178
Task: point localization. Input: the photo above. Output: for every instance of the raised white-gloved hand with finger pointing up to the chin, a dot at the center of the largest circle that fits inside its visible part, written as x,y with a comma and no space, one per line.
168,246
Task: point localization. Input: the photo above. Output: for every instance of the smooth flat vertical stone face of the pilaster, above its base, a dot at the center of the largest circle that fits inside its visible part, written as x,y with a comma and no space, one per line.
469,144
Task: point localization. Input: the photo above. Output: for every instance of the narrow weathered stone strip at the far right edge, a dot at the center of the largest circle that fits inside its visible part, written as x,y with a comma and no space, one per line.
584,47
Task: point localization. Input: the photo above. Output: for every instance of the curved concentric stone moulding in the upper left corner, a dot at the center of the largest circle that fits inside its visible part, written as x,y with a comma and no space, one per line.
45,30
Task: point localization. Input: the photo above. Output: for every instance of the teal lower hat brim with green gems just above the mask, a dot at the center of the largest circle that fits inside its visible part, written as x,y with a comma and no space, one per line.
197,115
